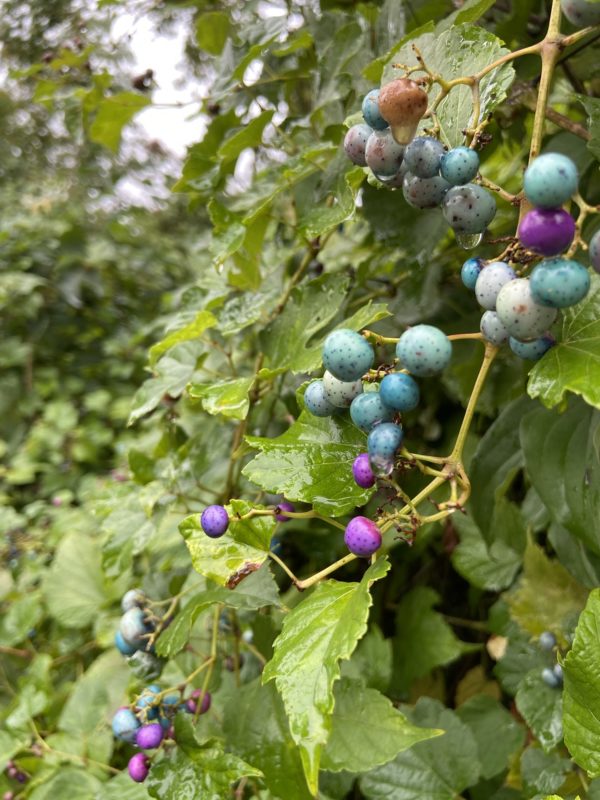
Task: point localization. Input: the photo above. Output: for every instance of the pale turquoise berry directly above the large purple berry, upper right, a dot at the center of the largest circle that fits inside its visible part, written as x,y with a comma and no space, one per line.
550,180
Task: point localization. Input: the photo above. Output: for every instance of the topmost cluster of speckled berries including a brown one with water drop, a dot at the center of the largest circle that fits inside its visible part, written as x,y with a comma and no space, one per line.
429,175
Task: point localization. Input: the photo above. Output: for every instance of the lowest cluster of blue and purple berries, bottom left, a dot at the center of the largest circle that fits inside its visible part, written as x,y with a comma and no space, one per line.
148,723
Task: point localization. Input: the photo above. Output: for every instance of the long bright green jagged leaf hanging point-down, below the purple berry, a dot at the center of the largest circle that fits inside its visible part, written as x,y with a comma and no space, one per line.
322,630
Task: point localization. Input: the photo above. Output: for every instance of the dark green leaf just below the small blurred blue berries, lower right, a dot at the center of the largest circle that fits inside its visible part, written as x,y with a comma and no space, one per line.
541,708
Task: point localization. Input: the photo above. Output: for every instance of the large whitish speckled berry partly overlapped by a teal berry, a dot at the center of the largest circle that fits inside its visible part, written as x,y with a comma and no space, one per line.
521,315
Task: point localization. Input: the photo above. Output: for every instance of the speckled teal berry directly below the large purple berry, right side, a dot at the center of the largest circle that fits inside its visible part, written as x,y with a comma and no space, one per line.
559,282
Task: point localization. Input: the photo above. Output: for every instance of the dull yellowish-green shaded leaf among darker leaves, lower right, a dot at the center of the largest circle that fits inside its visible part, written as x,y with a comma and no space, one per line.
547,597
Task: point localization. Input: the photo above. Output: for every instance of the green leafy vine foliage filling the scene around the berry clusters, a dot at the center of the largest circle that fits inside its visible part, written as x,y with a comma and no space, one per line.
153,359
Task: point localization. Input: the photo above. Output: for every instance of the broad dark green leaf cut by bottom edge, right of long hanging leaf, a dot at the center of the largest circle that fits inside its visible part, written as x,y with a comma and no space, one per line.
439,769
